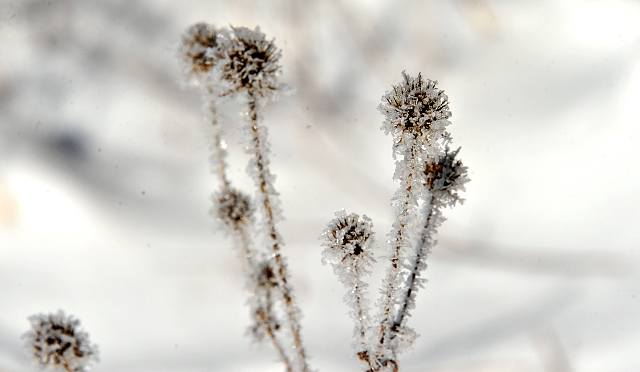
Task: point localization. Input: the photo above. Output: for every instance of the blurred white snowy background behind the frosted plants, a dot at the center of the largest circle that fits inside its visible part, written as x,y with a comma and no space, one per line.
105,179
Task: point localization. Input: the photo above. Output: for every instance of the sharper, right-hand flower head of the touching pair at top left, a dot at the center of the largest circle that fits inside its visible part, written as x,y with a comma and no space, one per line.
252,63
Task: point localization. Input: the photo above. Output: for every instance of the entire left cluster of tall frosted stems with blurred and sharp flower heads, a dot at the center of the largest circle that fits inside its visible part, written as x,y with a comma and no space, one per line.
241,63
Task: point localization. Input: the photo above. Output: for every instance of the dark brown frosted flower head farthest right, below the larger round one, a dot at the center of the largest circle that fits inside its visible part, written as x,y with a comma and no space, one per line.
446,176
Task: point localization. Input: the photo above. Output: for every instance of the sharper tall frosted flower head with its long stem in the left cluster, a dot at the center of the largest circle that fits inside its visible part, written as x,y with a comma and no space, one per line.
250,71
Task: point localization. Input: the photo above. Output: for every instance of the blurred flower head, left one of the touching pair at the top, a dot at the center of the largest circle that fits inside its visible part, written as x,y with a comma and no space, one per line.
201,48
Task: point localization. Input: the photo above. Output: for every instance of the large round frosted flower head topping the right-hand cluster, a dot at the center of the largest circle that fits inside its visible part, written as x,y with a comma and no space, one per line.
415,111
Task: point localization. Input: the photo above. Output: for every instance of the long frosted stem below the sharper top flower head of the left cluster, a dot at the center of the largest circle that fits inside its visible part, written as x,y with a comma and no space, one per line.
268,198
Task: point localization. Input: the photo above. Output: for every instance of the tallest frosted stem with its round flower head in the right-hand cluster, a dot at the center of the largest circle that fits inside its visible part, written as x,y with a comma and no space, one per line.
416,115
